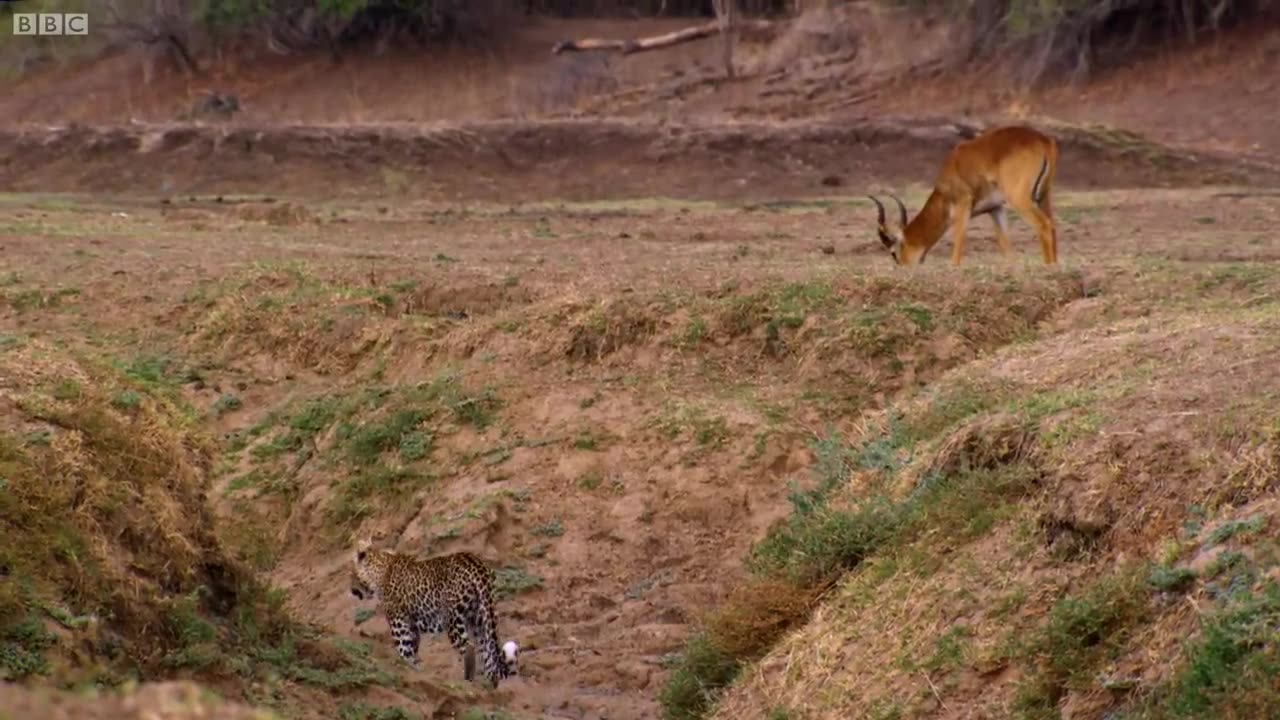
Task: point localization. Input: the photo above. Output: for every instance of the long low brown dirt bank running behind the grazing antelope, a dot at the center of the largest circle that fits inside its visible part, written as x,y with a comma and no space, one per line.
518,162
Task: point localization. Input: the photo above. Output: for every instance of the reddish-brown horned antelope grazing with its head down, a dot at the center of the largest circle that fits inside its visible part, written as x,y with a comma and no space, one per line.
1004,166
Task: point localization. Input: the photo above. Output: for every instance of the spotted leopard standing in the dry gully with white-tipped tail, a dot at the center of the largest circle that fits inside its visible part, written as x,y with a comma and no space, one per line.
451,594
